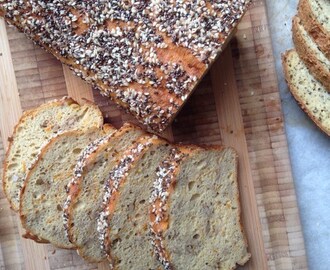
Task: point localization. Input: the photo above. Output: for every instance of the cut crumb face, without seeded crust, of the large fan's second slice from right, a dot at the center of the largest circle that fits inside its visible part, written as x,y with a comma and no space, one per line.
130,246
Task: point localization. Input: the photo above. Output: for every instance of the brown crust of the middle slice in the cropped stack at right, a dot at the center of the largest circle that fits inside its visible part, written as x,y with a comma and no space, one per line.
319,70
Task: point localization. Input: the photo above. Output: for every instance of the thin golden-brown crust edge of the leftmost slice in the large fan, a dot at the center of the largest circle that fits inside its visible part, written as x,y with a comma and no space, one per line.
24,116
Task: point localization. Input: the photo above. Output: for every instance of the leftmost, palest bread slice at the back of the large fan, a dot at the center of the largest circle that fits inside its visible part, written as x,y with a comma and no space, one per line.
34,129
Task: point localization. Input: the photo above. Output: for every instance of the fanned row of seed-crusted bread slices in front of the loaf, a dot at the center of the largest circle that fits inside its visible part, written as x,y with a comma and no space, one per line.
123,196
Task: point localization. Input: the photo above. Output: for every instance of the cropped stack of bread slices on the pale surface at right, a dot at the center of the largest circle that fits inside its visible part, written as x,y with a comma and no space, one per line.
307,67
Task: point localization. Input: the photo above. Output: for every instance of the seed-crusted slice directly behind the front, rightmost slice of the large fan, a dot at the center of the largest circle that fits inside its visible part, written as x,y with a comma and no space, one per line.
123,223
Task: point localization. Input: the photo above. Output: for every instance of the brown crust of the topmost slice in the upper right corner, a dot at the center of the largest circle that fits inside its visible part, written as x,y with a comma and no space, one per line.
313,27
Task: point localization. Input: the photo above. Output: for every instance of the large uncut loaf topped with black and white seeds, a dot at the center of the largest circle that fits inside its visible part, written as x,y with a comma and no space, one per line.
147,56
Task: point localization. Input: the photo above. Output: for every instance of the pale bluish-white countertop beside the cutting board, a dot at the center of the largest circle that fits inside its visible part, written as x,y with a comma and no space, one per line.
309,148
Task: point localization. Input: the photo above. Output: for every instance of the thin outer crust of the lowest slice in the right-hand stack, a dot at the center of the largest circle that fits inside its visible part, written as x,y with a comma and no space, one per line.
294,91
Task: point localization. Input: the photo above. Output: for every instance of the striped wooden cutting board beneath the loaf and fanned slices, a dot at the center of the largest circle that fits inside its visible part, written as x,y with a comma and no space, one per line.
237,104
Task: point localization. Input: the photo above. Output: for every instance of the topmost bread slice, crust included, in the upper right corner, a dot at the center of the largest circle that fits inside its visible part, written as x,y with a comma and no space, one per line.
315,16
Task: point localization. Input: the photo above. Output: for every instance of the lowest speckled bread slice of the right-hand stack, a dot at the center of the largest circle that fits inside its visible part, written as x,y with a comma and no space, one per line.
312,96
